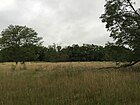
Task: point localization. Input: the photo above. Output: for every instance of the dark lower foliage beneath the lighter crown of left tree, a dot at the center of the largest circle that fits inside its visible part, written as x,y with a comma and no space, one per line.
20,54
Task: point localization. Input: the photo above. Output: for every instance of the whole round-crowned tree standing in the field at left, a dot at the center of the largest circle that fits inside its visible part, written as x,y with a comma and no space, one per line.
17,43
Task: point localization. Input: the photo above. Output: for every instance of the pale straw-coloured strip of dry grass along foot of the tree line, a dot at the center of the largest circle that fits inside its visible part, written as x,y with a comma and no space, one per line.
52,66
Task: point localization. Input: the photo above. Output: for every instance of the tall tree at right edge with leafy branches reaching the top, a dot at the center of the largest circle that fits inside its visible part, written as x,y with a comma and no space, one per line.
123,22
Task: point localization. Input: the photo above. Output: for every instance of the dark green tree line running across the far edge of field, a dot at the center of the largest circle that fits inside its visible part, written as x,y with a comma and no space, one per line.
57,53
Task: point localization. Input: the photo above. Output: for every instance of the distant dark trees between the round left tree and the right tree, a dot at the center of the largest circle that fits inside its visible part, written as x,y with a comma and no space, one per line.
86,52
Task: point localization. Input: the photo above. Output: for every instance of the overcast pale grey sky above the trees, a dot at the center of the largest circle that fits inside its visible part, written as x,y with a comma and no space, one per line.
64,22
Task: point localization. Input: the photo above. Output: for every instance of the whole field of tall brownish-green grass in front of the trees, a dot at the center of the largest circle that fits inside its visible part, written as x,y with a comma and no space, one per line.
81,83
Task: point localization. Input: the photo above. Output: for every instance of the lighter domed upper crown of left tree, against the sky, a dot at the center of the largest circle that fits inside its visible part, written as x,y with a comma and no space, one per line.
19,36
